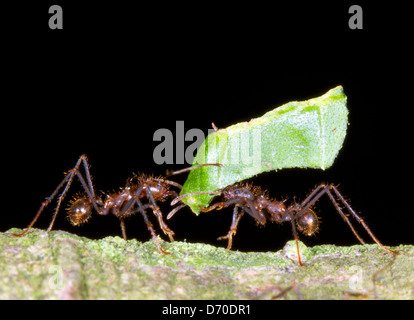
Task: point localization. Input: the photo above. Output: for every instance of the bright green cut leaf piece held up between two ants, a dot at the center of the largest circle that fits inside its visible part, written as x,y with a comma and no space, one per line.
304,134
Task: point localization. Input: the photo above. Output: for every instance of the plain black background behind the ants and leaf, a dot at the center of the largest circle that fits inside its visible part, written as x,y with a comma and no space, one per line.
116,73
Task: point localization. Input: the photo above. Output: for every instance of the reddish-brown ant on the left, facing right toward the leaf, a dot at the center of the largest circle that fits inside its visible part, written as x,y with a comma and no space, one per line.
122,204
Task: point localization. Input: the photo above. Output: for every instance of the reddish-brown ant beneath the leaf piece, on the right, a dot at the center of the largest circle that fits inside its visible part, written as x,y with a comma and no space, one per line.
256,202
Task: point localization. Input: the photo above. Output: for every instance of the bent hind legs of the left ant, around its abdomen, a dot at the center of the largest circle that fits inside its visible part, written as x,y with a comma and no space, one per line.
68,180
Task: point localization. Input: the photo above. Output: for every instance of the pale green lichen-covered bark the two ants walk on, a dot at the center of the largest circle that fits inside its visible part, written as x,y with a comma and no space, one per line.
60,265
